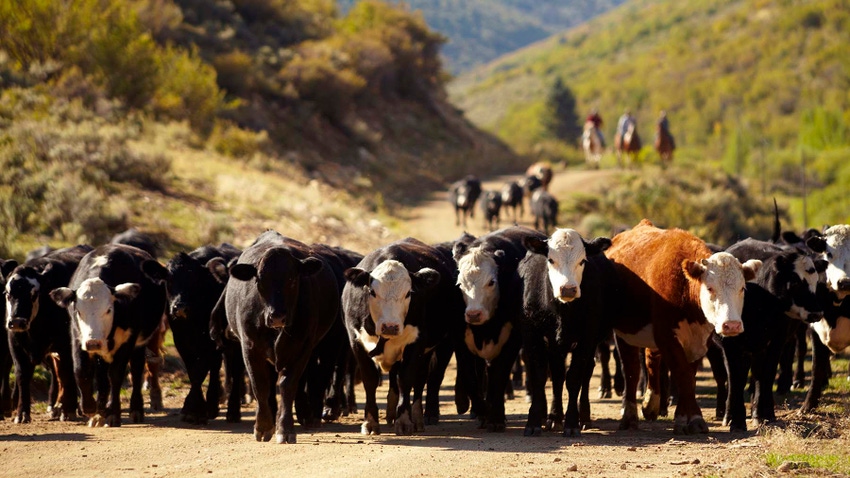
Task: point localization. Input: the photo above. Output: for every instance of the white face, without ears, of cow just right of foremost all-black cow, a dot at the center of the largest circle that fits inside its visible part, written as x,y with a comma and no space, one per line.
389,299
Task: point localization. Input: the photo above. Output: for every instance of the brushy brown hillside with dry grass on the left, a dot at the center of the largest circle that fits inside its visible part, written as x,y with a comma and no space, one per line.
202,122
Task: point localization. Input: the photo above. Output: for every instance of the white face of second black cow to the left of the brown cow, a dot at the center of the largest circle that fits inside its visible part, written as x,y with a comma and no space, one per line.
479,283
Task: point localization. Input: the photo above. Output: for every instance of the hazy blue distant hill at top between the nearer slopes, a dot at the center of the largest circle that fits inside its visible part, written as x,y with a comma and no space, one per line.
479,31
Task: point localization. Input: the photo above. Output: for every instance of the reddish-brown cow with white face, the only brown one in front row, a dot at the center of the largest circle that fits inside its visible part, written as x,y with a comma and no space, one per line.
675,293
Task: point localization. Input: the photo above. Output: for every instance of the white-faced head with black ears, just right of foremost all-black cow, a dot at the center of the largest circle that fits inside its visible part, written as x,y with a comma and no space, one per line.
390,286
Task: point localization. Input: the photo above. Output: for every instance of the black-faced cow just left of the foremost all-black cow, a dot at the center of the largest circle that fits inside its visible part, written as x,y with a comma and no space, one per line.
193,291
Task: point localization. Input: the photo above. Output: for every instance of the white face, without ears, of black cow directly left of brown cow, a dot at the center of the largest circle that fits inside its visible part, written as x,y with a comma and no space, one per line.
566,261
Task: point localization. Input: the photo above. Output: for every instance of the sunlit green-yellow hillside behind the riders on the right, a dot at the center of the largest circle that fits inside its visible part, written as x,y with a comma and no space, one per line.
758,87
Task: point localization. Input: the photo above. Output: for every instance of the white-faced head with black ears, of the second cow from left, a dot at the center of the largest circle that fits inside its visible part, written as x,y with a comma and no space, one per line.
92,307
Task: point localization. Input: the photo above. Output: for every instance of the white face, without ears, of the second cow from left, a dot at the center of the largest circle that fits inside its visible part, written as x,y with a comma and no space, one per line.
94,310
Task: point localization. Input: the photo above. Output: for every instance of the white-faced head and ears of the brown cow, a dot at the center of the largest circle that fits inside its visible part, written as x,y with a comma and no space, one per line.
721,280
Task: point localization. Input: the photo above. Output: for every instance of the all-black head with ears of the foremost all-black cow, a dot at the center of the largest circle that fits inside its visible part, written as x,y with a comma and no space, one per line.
278,276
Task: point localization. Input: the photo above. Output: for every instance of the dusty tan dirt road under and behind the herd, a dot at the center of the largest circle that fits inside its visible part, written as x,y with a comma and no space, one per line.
164,446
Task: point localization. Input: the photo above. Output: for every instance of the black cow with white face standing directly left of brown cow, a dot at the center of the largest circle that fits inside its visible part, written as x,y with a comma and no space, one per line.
568,288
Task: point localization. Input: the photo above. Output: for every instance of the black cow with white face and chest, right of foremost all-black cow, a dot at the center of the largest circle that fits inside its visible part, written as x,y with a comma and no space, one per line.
398,305
